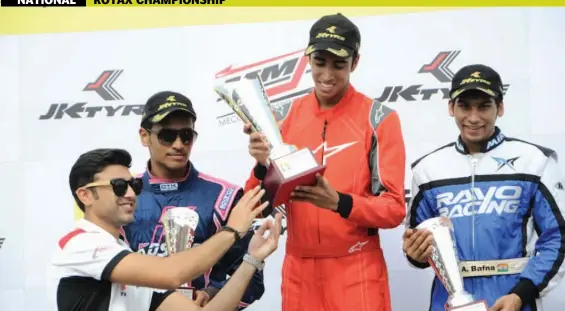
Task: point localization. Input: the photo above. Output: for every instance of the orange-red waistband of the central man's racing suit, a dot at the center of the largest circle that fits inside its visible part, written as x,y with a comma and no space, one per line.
333,250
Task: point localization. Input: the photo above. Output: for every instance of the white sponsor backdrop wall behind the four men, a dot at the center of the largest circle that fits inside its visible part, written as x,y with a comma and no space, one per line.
66,93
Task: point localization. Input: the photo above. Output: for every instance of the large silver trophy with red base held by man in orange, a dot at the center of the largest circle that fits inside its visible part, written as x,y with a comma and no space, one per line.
288,166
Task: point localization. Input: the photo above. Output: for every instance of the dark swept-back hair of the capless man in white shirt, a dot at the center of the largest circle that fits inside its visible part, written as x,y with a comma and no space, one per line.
91,163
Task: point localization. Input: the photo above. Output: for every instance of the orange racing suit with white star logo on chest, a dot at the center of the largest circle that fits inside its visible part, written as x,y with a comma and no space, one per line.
333,259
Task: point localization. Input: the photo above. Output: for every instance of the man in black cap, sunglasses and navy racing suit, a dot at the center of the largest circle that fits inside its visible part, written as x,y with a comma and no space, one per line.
171,180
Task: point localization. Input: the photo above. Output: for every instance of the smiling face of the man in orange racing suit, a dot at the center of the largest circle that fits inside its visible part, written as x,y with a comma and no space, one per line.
331,75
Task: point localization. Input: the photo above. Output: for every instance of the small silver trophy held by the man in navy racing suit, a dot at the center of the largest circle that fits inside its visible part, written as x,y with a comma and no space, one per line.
179,226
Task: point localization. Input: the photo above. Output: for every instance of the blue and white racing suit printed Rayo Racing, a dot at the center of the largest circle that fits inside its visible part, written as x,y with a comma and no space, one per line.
507,209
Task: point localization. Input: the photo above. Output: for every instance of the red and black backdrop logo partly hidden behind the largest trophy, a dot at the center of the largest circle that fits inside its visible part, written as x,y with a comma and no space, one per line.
283,77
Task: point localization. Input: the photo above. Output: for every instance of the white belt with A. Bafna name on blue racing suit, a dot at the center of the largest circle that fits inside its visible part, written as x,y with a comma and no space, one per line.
492,267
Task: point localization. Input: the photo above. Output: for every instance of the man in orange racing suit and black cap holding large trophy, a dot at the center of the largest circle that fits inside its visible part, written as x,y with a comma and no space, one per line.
333,257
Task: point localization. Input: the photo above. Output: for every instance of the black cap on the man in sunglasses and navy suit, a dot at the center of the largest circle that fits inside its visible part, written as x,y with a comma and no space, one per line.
160,105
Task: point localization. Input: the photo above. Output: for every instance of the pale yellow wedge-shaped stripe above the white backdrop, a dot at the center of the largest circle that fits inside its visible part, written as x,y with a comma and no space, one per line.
56,20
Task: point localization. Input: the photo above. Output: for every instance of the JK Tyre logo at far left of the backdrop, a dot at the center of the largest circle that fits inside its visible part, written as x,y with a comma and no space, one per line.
104,87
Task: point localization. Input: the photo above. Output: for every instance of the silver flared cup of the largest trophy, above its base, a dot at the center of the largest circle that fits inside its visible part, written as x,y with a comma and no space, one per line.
249,101
